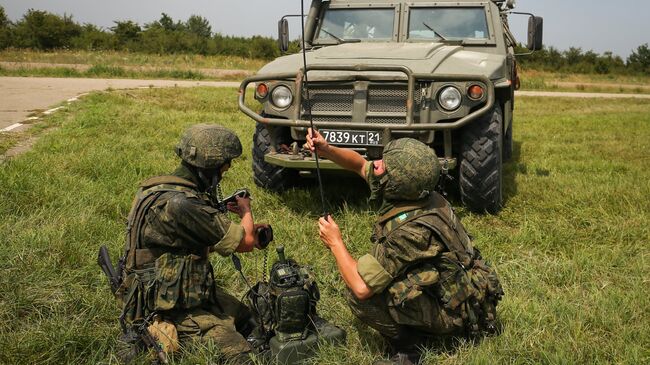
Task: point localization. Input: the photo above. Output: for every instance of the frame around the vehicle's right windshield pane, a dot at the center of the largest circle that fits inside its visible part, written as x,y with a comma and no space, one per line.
404,31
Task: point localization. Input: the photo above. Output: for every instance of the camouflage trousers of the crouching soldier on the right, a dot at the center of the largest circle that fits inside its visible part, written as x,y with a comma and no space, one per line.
409,325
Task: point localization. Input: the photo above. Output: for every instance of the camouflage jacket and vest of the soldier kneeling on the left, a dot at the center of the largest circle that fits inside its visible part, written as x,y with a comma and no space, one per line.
170,230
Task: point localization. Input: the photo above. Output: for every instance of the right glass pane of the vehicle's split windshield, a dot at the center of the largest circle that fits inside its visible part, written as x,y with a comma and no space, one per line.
448,24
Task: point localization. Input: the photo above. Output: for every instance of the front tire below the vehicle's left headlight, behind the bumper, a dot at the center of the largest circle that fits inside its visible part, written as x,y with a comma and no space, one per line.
265,175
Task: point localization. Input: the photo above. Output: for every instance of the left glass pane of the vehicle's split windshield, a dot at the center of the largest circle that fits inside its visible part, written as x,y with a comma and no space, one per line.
357,24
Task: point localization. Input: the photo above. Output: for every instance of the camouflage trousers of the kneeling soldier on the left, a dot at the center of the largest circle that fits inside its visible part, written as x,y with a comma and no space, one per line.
224,324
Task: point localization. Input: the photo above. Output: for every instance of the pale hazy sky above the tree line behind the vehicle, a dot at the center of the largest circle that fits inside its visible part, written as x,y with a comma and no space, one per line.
618,26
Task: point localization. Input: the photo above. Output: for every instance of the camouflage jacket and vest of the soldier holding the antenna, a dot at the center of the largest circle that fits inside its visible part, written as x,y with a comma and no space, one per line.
424,262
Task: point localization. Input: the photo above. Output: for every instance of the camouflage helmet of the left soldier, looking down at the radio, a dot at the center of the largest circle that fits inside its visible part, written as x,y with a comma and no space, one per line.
208,146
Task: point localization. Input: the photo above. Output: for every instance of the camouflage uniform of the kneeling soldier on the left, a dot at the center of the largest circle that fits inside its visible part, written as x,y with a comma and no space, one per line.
172,227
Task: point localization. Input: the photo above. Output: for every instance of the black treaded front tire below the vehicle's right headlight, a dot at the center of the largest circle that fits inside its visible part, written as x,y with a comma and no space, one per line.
481,163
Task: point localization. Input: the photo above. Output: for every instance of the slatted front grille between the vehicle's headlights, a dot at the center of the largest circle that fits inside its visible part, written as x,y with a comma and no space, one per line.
335,102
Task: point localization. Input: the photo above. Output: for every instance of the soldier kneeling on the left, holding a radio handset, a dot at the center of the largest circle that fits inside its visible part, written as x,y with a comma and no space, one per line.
172,226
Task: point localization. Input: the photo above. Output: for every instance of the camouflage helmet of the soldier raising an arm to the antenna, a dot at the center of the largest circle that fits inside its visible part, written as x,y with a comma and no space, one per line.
412,168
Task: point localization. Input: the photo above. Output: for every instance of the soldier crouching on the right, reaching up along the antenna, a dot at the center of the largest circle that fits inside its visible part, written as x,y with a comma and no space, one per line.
422,277
